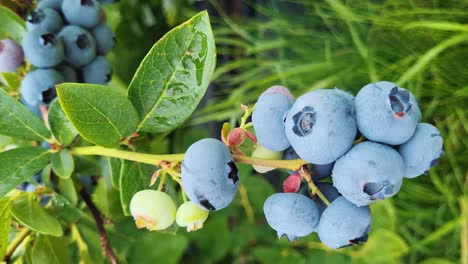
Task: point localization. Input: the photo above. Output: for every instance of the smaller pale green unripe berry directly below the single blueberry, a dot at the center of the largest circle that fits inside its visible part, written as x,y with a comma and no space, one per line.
190,215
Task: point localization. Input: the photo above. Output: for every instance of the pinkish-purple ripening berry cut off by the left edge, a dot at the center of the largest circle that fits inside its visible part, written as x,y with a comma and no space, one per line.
11,55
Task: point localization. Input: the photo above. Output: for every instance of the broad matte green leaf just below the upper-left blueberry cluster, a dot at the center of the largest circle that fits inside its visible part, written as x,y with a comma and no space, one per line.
101,115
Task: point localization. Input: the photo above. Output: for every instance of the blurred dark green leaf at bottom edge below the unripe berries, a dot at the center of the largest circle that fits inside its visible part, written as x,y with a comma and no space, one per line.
157,247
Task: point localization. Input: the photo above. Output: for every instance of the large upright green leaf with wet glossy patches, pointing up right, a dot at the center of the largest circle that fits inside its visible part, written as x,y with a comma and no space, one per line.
174,75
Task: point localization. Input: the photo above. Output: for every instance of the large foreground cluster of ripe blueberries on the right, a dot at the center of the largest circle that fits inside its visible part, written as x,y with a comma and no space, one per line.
321,127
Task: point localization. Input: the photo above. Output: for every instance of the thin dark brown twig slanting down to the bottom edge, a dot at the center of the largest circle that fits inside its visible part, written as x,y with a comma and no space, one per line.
105,243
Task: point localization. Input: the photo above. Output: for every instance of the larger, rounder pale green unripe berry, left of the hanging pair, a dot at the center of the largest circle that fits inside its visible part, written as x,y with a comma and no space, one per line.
152,209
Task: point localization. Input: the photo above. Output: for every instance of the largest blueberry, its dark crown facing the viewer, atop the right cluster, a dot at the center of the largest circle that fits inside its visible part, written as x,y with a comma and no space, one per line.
321,125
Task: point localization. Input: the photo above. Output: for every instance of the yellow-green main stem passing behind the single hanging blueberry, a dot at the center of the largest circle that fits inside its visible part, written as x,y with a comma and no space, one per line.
157,159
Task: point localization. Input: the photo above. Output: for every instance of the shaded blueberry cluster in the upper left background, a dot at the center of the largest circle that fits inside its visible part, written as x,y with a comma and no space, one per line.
66,41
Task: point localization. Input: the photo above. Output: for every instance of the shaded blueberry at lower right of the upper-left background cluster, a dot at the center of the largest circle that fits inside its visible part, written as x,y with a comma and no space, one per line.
98,71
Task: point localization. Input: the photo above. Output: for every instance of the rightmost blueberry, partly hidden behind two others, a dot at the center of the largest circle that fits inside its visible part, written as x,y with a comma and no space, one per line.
422,150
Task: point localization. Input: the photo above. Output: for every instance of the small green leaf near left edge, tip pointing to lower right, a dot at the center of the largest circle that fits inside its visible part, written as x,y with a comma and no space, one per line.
30,213
